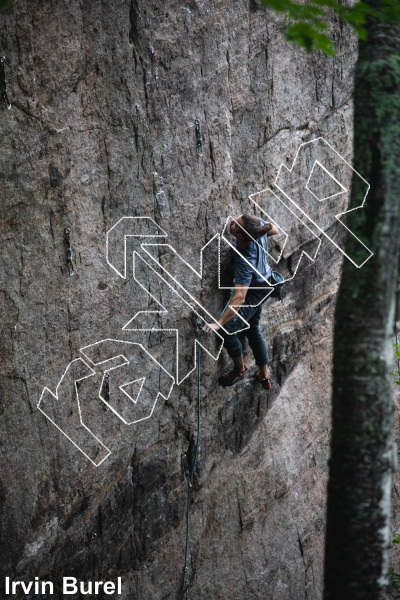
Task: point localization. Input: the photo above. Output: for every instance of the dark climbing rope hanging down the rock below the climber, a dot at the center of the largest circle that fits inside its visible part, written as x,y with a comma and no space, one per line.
189,461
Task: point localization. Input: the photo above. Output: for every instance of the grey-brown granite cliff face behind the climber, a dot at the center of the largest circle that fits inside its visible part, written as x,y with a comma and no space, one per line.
104,101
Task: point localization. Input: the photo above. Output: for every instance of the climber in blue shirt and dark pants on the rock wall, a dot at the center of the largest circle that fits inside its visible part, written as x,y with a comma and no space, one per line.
246,228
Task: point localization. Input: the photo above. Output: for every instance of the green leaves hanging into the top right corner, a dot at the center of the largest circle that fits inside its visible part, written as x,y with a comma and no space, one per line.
313,18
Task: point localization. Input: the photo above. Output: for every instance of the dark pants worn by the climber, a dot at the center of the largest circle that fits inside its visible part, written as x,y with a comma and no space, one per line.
252,316
